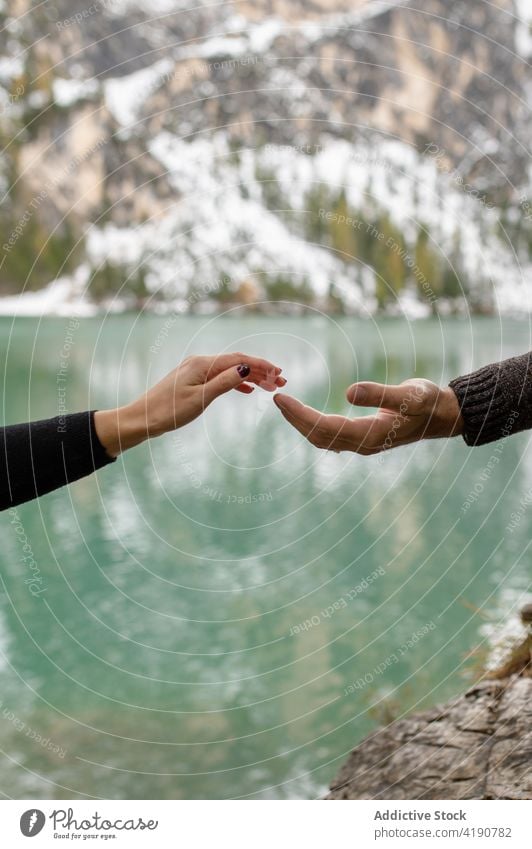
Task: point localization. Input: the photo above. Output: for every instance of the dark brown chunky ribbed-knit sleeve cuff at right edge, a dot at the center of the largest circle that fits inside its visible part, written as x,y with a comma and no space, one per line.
496,400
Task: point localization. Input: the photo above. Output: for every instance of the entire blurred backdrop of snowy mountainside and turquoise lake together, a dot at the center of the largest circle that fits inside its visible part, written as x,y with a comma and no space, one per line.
345,189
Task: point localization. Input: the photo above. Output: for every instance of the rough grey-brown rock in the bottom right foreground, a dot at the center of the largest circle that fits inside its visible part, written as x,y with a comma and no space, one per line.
478,746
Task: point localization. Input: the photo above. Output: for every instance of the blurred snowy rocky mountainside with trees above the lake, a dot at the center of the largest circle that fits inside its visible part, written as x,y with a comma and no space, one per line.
352,155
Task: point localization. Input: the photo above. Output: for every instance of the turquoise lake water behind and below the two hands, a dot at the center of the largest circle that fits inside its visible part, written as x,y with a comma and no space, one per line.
227,611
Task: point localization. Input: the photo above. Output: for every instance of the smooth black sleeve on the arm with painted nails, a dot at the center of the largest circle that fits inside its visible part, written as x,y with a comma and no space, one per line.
37,457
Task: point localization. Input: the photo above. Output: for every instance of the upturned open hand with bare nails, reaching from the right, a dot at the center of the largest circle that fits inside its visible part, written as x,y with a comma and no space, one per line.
413,410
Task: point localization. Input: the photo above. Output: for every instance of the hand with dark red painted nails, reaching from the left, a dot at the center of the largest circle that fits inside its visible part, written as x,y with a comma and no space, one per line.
182,396
